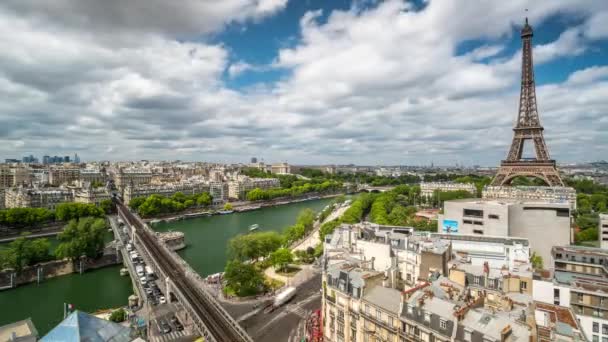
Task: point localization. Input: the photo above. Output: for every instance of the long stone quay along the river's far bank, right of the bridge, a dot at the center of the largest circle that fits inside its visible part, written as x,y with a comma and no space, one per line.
238,207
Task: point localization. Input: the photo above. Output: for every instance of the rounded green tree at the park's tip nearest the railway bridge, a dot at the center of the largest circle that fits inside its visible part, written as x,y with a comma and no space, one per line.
243,278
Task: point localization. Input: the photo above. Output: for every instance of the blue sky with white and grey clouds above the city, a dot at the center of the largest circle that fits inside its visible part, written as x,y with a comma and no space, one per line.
302,81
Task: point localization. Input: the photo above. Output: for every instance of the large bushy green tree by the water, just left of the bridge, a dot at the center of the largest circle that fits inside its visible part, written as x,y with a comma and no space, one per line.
83,237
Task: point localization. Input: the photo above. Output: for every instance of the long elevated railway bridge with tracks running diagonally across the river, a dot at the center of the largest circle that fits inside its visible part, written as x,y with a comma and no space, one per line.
208,316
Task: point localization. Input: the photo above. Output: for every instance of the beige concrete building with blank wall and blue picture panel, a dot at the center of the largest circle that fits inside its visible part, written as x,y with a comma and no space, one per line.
544,224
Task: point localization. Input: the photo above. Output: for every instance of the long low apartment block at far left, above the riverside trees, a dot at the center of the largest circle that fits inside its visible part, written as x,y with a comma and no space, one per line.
37,198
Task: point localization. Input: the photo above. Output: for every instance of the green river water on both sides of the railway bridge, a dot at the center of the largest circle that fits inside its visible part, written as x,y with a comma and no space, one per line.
206,238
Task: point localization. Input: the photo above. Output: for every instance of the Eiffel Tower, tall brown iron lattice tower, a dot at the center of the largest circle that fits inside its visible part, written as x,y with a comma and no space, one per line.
528,127
